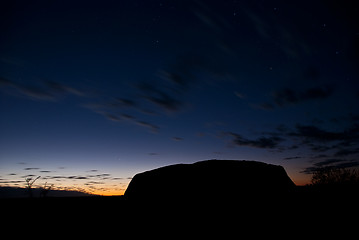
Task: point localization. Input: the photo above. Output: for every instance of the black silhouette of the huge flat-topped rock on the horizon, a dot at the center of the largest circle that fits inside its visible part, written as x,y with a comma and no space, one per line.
212,179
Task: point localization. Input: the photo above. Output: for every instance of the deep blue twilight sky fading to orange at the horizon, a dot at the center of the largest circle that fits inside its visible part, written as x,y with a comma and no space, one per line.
93,92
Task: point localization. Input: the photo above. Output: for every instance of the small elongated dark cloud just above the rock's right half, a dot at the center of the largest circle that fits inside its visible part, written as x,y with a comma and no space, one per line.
262,142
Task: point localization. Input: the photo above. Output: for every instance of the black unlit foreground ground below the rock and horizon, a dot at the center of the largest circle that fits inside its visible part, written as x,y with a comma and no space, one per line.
306,212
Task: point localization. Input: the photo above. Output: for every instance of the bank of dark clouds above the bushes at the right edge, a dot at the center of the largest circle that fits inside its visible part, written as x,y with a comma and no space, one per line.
340,147
